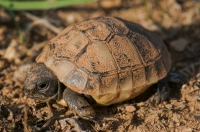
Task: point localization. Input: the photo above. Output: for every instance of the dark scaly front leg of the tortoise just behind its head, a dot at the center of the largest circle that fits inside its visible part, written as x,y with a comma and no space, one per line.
79,104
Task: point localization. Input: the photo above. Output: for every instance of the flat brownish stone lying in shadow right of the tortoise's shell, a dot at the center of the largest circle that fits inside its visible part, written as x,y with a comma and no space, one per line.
179,44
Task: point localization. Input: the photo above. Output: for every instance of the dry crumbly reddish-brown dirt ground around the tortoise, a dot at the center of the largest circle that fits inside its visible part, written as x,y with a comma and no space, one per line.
23,35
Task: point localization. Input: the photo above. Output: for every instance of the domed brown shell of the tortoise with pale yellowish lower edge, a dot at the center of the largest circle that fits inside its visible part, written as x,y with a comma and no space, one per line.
108,58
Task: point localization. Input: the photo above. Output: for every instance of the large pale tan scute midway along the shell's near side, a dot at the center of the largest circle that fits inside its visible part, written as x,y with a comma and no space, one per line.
97,58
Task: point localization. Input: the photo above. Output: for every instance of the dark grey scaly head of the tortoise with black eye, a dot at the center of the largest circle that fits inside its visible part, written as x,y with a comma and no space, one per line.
41,83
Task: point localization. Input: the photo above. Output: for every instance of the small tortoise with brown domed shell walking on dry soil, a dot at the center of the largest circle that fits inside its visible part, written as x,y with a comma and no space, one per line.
104,60
